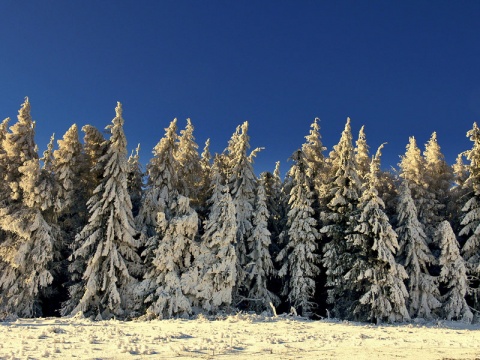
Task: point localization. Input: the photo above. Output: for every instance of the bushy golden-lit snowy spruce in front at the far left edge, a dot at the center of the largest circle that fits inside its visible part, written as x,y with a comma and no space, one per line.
27,251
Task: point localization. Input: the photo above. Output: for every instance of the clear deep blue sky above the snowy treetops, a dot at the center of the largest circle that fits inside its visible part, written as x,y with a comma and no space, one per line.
401,68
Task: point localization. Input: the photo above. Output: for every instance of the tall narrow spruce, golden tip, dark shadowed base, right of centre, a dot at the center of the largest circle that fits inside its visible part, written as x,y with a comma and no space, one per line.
342,194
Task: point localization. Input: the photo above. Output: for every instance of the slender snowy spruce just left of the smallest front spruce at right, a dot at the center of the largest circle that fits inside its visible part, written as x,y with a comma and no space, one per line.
416,257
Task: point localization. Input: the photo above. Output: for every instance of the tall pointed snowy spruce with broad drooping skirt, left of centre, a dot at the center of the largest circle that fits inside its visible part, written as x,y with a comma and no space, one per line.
106,246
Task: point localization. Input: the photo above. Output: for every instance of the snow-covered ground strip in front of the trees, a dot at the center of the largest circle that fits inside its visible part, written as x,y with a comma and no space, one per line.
235,337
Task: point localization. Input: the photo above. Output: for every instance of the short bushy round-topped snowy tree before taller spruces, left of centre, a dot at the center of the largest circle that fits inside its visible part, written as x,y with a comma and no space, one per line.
172,256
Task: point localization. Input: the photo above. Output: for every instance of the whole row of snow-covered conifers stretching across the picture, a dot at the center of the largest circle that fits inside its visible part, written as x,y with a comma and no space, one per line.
86,229
